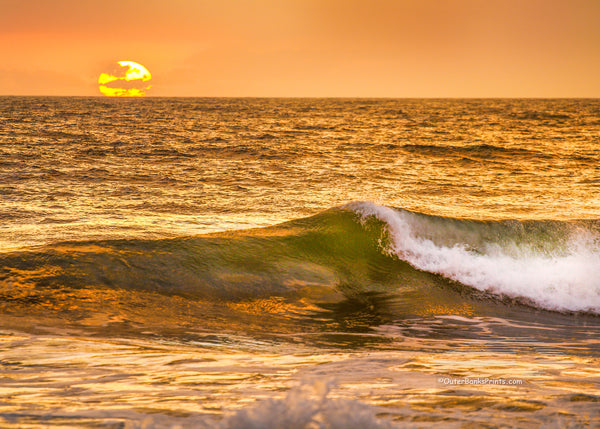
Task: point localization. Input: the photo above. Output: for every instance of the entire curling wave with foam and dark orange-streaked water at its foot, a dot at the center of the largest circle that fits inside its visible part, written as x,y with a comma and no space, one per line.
353,266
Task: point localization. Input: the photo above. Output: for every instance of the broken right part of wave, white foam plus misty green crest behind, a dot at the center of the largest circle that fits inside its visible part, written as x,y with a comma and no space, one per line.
559,271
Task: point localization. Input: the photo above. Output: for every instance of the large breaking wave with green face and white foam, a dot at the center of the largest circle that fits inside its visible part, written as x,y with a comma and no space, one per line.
349,252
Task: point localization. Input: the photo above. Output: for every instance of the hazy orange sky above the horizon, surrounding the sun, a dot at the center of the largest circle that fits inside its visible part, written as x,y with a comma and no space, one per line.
345,48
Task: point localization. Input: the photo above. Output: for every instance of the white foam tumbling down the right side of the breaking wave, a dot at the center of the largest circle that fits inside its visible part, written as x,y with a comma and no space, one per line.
566,281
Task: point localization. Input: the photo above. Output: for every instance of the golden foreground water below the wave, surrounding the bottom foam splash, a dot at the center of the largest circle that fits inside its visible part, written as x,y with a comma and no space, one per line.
93,380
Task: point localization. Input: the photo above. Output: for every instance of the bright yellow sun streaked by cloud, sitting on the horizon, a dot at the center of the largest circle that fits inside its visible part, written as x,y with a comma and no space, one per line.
126,79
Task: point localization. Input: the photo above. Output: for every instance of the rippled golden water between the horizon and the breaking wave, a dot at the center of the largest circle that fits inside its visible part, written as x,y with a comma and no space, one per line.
92,167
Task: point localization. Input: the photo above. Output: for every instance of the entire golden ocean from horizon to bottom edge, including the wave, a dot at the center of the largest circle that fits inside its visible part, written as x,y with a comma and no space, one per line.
299,263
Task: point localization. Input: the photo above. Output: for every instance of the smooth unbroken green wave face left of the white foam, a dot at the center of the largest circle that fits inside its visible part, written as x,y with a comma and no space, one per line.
327,250
